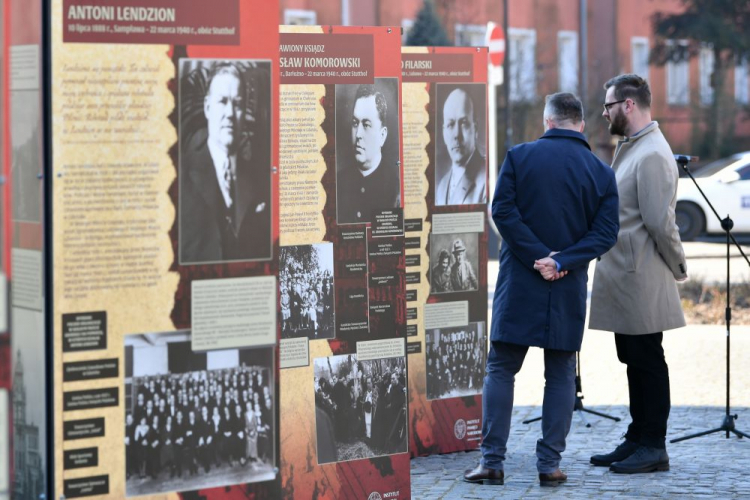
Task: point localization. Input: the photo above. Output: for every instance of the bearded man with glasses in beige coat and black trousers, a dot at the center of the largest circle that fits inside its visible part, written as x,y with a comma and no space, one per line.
635,291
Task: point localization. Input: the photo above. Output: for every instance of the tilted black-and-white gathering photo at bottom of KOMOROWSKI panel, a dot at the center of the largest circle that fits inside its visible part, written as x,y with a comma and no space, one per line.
360,407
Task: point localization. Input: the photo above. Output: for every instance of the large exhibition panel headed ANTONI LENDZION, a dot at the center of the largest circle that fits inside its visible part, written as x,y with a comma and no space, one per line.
165,235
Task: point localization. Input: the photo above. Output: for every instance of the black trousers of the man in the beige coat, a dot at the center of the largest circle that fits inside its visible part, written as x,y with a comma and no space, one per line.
648,385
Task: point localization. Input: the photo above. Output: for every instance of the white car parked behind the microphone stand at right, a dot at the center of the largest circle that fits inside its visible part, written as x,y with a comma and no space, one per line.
726,183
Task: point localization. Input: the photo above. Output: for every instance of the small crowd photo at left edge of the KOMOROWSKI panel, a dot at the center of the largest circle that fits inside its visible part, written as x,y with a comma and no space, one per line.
306,291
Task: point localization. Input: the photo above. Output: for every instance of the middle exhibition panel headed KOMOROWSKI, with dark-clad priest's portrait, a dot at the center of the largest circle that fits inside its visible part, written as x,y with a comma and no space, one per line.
342,268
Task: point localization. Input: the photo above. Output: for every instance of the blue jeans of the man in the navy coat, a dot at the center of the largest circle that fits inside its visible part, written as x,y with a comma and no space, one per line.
505,360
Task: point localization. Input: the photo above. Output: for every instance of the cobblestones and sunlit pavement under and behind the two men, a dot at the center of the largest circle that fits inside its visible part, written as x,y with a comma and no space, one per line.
707,467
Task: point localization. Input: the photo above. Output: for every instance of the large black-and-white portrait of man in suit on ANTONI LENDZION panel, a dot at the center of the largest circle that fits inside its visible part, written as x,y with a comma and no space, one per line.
225,161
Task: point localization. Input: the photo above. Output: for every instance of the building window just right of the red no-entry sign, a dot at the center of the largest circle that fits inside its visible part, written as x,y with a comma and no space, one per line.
522,59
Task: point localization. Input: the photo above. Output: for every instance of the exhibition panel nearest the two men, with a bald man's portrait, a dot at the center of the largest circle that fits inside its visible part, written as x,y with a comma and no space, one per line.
445,171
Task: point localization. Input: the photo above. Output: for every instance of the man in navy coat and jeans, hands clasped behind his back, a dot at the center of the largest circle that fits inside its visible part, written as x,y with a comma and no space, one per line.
556,199
